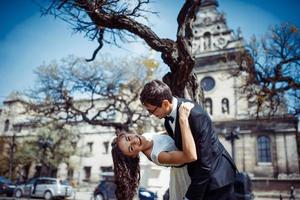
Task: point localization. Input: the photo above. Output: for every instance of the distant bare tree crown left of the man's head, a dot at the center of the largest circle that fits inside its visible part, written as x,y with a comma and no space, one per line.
102,93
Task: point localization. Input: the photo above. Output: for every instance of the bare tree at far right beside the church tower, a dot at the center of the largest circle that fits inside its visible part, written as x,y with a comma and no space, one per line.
271,68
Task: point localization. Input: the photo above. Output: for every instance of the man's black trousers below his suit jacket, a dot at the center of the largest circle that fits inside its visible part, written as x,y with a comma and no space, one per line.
223,193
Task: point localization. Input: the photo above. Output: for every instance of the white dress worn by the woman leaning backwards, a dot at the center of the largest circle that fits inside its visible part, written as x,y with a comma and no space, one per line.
179,177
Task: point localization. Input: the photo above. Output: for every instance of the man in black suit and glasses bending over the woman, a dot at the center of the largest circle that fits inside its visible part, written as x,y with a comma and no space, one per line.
213,173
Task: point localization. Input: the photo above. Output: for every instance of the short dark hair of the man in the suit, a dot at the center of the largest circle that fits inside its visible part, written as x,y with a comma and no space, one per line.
154,92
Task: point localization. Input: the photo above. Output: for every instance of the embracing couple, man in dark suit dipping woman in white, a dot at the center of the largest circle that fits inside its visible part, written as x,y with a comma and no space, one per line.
209,171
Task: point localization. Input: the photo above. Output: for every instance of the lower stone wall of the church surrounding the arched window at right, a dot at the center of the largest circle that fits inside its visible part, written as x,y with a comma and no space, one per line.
283,147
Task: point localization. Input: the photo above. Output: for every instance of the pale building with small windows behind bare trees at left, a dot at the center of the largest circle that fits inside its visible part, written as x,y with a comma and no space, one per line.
93,148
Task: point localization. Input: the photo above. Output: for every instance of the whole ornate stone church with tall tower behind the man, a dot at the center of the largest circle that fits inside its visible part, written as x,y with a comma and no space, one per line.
266,148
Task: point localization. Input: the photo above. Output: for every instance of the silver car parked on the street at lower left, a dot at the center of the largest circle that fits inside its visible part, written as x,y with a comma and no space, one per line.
44,187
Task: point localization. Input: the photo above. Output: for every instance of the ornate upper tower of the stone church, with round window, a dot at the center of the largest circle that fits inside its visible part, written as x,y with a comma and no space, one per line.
214,48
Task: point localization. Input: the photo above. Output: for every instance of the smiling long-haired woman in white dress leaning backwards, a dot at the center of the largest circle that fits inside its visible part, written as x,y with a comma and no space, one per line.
161,150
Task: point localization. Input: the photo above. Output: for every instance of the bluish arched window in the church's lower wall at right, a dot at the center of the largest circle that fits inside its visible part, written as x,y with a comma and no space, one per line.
264,149
